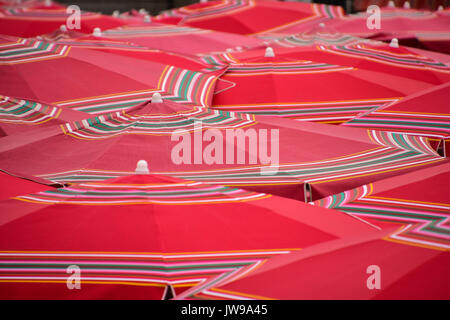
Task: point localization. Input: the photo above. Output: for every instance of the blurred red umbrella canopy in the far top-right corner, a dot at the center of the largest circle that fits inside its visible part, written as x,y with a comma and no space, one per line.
425,29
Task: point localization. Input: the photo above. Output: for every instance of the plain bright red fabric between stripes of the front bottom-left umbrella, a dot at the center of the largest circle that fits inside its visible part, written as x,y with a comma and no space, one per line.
265,224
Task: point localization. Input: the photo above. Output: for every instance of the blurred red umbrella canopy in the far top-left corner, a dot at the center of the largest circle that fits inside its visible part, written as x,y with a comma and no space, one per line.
31,22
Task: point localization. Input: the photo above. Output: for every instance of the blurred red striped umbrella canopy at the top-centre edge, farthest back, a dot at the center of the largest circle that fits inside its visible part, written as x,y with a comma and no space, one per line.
250,17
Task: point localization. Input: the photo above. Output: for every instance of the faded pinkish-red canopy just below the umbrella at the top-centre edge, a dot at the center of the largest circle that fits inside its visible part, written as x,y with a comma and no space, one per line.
181,39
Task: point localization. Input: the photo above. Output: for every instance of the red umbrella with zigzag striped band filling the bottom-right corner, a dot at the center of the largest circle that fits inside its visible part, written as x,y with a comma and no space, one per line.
409,253
